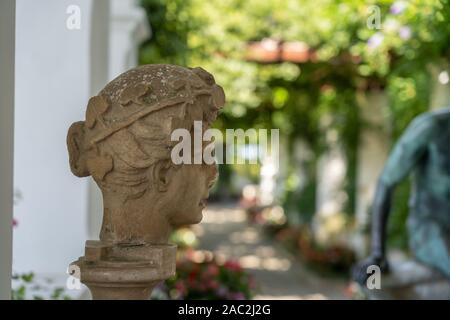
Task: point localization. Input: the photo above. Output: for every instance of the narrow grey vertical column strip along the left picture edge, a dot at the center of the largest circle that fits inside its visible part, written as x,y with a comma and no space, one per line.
7,45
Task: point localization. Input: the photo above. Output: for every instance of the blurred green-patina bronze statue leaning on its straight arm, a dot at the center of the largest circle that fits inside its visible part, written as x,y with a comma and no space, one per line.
424,150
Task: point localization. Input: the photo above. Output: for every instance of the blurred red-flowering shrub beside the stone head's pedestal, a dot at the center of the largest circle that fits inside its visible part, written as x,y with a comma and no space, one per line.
209,280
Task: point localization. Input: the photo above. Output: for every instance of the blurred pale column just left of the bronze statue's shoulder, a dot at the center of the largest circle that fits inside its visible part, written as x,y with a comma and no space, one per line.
372,154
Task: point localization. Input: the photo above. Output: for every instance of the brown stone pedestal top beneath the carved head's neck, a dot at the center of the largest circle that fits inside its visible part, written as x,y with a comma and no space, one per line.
125,272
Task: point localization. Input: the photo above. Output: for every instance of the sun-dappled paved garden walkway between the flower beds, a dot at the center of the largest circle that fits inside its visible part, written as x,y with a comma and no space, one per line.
225,231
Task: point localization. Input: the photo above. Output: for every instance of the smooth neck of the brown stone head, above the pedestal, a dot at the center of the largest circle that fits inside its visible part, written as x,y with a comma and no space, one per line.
131,224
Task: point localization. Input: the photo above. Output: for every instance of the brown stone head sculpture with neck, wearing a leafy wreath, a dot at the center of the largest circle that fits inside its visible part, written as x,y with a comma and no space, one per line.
125,145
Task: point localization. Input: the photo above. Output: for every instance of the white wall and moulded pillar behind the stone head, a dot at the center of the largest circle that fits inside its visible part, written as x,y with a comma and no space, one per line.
57,70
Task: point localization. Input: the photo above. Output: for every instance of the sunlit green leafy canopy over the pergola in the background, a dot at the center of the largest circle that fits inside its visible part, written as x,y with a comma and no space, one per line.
351,58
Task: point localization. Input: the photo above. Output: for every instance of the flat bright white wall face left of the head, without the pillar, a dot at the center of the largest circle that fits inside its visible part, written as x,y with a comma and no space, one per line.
52,90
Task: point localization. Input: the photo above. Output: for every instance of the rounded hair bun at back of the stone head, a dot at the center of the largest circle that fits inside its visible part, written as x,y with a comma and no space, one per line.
75,145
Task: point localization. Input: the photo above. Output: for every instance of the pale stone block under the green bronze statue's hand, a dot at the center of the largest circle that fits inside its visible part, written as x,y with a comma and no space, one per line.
411,280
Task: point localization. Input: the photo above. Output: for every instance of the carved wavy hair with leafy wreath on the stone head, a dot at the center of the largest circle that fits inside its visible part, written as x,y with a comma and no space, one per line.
128,125
